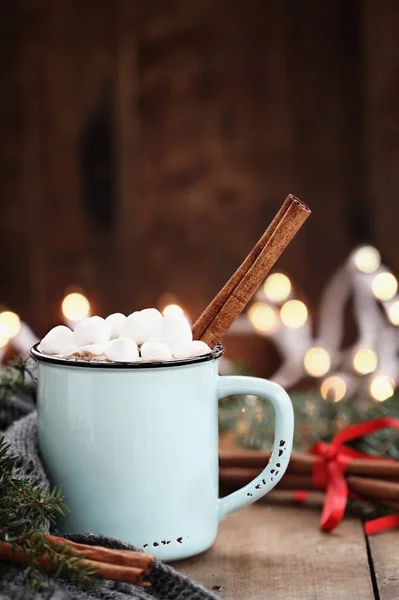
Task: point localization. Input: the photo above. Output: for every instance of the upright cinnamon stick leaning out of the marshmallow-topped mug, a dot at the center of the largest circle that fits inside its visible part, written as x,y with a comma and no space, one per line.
235,295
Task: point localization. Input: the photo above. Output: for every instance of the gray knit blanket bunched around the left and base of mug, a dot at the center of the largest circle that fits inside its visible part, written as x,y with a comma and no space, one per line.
18,422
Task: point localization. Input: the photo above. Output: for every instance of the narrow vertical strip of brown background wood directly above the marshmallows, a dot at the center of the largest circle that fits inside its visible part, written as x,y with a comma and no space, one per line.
130,195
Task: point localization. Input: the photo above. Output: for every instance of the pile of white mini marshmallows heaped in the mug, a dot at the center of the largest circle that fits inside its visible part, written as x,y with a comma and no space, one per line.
144,335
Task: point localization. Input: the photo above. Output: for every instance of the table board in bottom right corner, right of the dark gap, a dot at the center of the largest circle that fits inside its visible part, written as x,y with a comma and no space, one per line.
385,560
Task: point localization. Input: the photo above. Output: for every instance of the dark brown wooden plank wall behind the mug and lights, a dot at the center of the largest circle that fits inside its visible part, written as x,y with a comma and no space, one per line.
146,145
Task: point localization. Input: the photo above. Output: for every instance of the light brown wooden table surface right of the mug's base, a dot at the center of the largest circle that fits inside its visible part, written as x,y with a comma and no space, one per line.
277,552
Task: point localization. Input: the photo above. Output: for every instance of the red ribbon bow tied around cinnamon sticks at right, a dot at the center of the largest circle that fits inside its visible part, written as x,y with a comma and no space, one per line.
329,473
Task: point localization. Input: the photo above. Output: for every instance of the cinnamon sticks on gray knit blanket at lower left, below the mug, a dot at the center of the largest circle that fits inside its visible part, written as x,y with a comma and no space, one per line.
117,565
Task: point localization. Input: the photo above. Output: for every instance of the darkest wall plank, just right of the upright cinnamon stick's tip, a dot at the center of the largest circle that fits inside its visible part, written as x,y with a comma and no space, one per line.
326,139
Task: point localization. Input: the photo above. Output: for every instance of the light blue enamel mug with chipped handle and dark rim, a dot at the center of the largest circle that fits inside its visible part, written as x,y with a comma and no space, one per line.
135,447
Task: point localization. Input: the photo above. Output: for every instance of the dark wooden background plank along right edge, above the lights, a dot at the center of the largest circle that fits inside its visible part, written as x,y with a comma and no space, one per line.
381,123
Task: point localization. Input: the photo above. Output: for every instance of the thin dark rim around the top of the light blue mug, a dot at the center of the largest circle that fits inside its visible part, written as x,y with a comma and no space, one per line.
166,364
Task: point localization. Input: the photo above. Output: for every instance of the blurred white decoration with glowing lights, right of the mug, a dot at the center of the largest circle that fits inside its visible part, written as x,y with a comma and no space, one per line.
372,361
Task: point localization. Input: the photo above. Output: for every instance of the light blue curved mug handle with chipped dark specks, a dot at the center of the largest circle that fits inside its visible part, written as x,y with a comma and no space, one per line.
283,437
